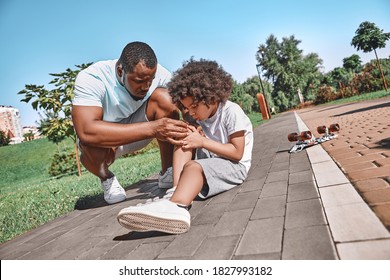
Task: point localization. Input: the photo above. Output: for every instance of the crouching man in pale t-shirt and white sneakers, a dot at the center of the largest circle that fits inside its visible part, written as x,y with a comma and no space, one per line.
119,107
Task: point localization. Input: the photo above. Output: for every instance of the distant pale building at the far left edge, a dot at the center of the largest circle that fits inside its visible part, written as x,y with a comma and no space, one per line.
10,123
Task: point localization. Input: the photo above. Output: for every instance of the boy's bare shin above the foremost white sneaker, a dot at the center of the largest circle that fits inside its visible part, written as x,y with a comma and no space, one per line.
190,183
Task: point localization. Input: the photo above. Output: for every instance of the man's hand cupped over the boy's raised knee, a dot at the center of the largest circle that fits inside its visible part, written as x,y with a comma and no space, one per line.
173,131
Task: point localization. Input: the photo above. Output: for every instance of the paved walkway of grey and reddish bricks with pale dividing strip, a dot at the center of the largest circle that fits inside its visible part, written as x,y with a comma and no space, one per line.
292,206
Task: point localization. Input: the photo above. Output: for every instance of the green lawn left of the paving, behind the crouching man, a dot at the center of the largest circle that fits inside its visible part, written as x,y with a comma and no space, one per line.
30,198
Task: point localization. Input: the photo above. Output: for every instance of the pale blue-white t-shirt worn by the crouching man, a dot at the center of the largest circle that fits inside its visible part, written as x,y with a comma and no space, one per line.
97,85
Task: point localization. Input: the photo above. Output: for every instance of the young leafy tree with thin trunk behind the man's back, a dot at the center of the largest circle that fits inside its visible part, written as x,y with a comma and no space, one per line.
56,104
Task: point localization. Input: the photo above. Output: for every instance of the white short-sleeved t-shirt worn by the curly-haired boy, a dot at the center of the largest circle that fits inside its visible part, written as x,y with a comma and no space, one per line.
229,119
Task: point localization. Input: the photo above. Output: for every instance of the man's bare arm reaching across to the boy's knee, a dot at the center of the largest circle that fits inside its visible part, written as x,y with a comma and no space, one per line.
93,131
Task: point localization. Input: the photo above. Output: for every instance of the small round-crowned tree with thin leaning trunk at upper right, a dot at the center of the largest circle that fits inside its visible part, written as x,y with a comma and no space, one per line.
369,38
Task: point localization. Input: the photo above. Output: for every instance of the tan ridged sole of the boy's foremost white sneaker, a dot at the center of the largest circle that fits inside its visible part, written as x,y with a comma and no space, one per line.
142,222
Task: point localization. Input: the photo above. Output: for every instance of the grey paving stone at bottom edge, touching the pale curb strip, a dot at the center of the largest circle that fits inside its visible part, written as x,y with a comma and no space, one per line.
309,243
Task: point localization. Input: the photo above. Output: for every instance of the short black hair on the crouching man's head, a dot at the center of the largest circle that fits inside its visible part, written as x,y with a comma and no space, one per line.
134,52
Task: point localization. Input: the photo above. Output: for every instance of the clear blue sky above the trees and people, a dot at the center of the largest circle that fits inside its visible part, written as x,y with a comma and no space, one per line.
41,37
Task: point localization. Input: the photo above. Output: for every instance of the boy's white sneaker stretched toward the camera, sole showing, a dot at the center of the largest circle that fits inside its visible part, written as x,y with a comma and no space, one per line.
162,215
